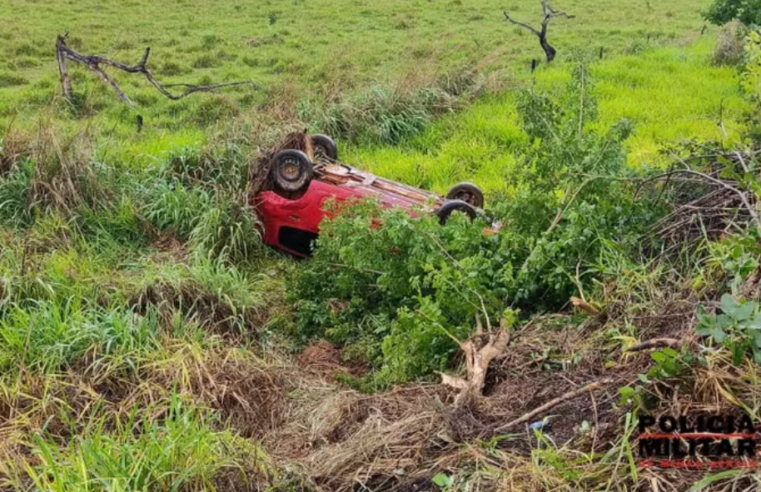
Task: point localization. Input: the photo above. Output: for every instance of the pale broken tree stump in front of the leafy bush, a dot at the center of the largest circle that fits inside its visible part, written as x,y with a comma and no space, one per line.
480,350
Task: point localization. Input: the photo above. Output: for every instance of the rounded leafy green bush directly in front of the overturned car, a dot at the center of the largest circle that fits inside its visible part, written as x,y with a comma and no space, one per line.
398,291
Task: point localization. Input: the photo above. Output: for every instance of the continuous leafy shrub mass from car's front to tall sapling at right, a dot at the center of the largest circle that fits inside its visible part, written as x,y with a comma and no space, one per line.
398,291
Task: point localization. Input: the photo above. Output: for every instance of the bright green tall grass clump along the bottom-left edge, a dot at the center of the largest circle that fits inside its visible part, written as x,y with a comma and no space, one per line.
181,451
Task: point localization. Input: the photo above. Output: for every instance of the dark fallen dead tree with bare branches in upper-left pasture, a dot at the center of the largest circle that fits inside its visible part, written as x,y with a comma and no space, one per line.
95,63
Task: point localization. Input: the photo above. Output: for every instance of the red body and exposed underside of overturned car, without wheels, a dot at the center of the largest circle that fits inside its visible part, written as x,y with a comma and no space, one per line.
292,223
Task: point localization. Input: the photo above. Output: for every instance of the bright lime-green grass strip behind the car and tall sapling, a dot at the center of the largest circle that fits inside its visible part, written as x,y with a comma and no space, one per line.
670,94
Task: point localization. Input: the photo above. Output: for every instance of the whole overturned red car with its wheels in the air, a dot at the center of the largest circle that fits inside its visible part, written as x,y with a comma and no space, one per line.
301,180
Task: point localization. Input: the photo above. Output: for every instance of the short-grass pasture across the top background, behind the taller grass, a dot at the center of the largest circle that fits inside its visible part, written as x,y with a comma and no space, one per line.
295,50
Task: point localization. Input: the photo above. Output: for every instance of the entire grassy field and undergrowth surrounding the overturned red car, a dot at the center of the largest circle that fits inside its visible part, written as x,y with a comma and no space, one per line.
149,341
